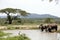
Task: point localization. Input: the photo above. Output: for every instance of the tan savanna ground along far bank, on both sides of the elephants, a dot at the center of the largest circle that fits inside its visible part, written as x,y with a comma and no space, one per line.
23,27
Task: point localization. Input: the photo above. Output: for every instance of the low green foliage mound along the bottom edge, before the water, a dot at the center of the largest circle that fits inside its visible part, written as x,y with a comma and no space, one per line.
20,37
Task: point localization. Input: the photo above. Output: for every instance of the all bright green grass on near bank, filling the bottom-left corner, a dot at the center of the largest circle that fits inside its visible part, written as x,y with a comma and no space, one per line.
19,37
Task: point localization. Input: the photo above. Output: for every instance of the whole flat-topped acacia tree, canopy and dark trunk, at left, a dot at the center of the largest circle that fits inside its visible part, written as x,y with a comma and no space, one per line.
12,10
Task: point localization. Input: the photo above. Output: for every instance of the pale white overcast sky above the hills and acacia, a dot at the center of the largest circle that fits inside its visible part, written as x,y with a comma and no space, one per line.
33,6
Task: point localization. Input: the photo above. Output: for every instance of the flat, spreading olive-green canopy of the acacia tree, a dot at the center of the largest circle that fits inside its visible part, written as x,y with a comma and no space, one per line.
12,10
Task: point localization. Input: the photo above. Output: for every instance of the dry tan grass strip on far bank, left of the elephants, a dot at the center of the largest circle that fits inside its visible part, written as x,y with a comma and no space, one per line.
31,26
